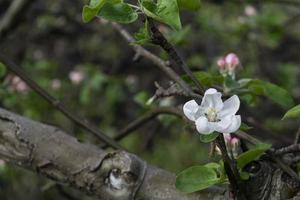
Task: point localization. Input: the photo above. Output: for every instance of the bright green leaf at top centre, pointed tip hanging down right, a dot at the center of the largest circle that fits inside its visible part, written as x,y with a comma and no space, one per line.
165,11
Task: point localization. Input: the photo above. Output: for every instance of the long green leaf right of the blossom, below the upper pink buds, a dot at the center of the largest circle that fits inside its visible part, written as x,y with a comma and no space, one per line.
272,91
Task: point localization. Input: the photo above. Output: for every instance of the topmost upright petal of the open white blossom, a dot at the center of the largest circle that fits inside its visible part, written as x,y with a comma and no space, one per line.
212,99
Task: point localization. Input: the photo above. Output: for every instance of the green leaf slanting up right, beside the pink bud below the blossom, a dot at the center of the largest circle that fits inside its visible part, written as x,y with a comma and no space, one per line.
252,154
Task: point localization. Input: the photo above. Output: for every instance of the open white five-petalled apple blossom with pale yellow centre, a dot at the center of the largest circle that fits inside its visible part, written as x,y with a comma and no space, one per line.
214,115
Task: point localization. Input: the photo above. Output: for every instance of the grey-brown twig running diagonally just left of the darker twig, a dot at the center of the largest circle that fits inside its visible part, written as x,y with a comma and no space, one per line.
161,64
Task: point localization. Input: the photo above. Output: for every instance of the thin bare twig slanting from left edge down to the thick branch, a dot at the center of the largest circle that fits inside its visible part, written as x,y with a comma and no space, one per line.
57,104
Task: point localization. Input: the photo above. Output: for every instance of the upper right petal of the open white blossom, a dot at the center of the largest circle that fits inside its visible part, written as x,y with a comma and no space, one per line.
230,106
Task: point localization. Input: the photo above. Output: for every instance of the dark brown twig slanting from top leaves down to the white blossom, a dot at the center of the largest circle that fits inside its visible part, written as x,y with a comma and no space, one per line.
159,39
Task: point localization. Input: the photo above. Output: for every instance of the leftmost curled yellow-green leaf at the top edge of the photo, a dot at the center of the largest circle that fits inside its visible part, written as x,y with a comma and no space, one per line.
92,10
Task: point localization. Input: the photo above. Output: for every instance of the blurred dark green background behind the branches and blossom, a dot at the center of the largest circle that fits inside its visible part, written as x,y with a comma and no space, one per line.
91,69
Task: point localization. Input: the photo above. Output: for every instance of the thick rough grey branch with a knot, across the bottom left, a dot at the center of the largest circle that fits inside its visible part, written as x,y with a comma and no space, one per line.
116,175
